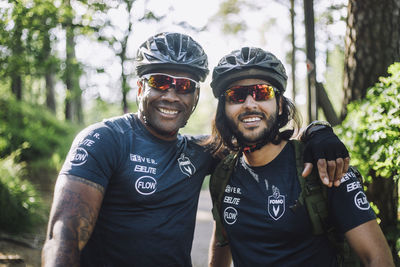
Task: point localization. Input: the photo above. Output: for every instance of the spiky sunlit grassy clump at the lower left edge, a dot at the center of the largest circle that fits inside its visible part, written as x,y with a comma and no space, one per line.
21,208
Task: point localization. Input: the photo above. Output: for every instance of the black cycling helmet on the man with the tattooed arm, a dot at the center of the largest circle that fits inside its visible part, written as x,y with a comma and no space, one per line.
172,50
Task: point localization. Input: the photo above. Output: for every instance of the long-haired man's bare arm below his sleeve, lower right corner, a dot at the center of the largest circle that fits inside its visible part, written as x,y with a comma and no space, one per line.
370,244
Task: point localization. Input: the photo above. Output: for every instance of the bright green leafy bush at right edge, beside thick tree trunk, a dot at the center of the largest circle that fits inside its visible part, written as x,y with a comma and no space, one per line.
372,134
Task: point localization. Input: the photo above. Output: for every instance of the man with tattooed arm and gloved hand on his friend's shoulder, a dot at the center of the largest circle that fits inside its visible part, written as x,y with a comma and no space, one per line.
127,194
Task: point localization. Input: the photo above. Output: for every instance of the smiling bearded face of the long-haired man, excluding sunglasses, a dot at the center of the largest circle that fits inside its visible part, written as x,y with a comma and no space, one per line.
251,121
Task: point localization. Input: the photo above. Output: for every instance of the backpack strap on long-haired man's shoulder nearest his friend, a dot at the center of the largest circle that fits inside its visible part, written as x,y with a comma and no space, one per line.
218,181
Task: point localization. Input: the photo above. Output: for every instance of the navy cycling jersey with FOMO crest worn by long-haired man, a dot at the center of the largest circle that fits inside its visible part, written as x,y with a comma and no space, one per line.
263,229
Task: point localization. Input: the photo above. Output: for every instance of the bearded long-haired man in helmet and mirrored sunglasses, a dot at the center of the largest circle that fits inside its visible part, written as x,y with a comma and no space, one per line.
257,210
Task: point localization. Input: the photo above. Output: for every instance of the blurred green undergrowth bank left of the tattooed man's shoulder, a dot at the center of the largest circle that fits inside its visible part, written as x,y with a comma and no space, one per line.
43,139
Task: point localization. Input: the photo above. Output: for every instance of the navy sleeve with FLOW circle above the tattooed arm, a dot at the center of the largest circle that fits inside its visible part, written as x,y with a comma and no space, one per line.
94,154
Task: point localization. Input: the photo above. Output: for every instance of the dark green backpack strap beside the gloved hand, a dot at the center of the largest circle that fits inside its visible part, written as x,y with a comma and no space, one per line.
313,193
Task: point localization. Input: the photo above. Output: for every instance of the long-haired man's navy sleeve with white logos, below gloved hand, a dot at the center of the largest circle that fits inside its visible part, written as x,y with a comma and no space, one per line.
349,206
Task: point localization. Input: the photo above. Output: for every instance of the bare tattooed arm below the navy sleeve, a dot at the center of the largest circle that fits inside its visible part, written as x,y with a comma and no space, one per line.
73,215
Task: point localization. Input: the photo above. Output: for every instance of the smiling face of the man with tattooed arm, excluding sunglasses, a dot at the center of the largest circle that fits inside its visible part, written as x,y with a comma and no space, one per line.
164,112
